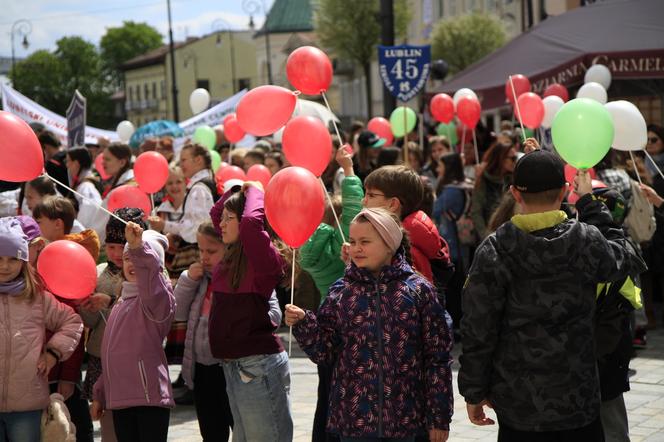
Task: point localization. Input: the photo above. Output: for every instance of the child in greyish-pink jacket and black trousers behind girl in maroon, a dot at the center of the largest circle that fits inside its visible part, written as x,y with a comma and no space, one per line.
202,371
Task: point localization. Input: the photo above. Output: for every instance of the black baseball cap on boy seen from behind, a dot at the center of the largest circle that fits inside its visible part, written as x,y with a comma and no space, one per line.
539,171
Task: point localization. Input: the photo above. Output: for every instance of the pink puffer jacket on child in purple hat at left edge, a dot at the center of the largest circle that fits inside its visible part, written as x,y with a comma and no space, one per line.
22,341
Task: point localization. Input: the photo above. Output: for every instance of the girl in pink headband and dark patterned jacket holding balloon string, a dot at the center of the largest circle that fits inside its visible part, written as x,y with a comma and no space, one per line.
383,325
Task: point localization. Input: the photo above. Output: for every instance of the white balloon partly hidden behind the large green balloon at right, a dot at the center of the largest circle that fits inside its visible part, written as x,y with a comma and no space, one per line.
631,132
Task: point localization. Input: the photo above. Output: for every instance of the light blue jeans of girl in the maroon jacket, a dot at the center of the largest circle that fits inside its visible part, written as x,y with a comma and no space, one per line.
258,390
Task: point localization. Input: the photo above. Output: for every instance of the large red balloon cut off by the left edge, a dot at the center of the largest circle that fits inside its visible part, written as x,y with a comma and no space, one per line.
22,157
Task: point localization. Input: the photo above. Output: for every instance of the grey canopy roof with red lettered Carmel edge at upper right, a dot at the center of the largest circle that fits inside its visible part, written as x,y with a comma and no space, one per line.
625,35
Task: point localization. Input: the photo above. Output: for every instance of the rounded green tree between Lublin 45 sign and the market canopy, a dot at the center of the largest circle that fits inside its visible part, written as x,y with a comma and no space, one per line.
465,40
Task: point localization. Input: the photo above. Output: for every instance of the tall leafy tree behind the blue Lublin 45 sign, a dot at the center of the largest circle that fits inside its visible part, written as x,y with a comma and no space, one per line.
351,29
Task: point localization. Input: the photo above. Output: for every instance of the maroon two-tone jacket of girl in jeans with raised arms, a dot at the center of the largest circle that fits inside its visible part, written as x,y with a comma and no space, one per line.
239,322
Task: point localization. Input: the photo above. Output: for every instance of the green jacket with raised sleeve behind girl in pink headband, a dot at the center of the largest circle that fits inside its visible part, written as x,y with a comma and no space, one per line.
320,256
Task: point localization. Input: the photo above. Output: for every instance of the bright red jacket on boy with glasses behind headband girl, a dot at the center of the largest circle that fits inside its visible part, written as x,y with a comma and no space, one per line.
426,243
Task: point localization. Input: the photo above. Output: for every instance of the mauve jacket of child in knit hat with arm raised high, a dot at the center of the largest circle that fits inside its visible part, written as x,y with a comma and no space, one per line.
135,371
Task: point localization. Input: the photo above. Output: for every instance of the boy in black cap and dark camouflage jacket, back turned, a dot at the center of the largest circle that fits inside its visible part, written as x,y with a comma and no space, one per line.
528,310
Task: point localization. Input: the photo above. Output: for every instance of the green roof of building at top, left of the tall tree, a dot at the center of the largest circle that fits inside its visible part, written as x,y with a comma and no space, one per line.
288,16
